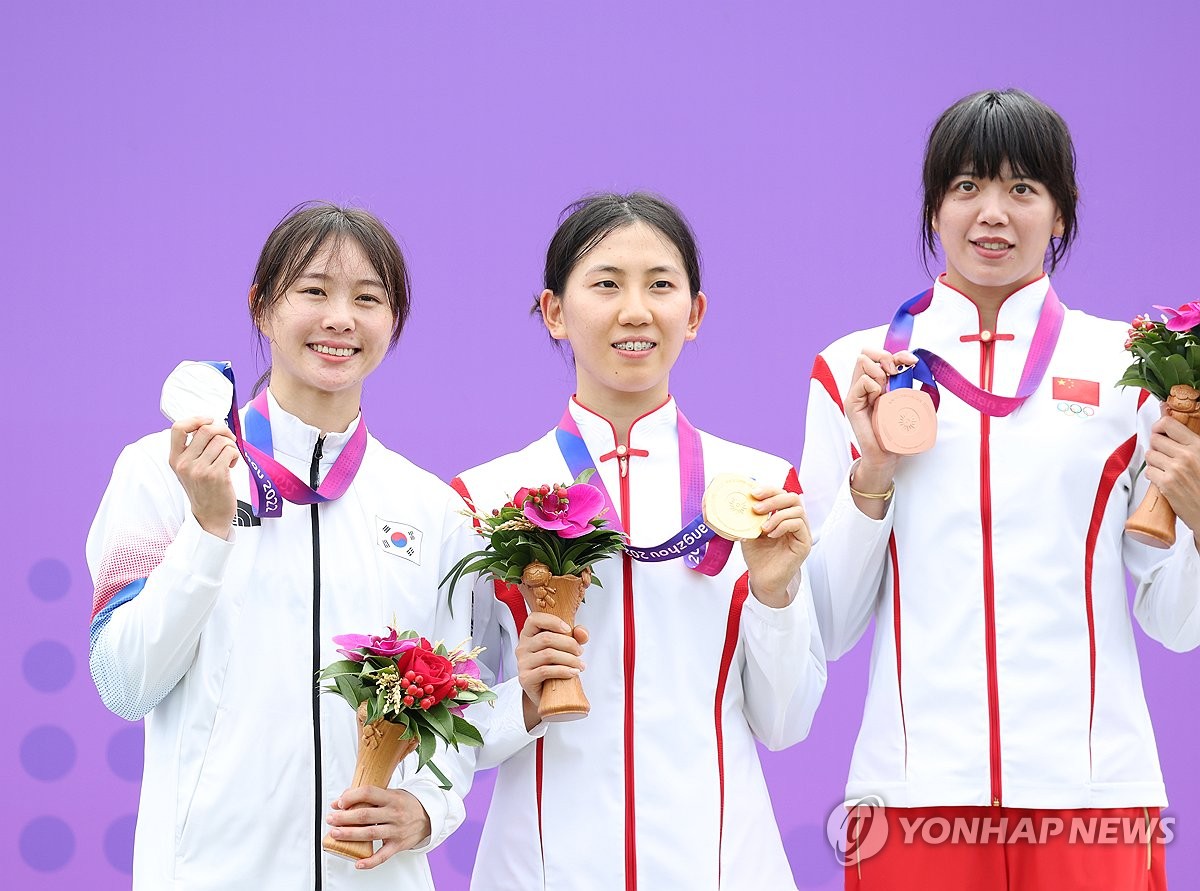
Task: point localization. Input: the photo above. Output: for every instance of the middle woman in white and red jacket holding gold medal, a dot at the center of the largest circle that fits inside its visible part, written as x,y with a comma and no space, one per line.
694,649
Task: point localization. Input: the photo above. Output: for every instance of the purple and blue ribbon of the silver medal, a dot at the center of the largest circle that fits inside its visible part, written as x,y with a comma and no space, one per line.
269,480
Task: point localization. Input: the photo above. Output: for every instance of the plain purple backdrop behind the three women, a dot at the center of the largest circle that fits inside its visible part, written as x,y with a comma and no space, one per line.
151,148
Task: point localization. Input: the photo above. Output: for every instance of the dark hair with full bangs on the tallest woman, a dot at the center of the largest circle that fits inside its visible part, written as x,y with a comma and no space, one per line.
983,131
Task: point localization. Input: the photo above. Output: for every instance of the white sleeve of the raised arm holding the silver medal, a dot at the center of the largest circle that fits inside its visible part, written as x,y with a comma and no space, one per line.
157,577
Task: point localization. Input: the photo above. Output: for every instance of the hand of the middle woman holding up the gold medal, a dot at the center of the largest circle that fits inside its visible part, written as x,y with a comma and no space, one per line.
777,555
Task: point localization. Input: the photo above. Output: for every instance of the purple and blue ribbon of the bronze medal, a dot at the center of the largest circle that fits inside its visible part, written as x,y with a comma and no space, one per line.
1046,338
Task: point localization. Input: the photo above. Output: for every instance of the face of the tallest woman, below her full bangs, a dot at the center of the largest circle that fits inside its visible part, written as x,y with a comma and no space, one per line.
995,234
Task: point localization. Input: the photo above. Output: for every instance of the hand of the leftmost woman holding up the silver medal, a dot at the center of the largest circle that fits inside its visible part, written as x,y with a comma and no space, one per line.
203,467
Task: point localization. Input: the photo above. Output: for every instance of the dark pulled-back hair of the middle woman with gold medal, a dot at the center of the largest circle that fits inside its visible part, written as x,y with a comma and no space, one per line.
589,222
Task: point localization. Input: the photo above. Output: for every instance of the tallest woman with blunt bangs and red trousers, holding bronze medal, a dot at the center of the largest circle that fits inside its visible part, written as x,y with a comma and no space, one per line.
1005,701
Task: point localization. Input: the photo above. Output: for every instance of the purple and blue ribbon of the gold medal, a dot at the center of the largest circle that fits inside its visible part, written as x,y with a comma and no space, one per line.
703,549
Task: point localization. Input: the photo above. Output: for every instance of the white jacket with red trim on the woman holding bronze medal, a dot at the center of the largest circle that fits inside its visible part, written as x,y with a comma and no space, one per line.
1004,668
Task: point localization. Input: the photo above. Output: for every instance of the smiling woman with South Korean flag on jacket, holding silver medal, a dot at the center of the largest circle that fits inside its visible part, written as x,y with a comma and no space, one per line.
219,590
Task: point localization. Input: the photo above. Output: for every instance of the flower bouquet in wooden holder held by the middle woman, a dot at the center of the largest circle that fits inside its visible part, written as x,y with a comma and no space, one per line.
545,541
